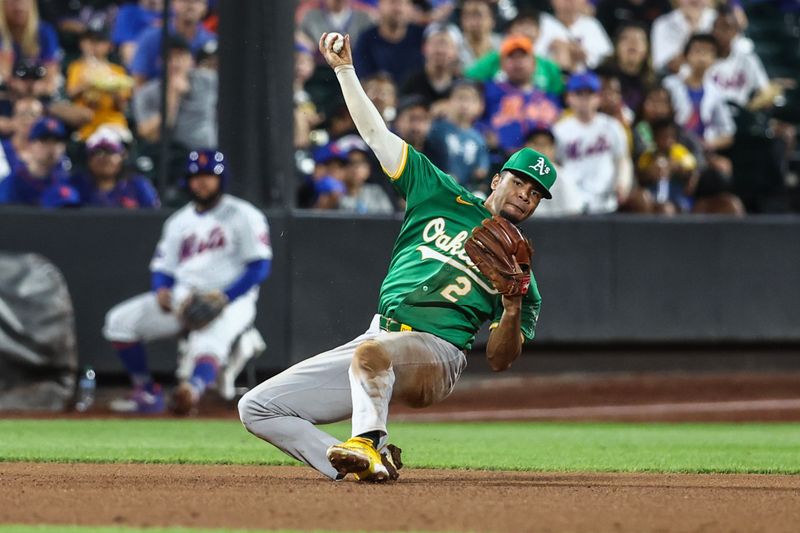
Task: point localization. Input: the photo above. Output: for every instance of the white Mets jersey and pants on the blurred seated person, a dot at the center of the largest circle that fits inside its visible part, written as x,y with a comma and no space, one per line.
201,251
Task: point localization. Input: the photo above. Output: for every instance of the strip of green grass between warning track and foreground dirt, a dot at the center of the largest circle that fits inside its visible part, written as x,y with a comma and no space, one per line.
539,446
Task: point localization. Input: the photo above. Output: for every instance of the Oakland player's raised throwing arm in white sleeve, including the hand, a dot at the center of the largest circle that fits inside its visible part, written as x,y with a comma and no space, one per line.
387,146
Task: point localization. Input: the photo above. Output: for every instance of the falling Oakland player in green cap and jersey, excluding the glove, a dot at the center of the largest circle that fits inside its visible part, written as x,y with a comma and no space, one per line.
432,303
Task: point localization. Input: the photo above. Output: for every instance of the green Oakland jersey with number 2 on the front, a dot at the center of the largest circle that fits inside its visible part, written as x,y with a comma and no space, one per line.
432,285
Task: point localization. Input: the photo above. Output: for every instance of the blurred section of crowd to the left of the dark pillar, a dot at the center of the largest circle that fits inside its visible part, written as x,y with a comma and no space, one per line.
80,100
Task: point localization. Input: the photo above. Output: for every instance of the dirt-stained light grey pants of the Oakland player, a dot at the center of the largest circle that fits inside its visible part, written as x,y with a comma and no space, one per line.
356,379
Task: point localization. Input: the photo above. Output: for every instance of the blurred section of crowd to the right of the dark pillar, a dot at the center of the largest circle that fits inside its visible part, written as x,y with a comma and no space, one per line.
647,106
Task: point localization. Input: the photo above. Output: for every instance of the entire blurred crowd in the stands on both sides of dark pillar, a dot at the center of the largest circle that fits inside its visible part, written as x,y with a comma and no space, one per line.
651,106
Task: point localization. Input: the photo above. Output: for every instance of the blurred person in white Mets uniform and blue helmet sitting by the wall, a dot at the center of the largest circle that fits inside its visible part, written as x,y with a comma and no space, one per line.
206,271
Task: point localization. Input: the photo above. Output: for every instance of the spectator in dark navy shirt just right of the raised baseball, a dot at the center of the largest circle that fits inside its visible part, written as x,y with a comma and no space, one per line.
394,45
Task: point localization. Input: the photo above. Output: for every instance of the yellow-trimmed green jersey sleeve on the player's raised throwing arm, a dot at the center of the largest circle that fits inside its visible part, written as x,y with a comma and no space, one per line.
417,178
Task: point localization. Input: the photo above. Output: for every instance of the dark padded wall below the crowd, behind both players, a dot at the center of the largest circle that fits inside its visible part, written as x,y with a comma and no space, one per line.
604,281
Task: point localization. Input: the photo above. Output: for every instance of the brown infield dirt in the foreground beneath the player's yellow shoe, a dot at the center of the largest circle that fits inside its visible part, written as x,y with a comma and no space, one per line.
432,500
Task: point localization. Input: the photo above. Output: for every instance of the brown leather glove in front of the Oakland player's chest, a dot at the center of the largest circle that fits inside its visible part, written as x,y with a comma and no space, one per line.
503,254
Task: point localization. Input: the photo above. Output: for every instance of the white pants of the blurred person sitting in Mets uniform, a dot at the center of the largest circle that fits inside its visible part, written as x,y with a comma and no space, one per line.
140,319
